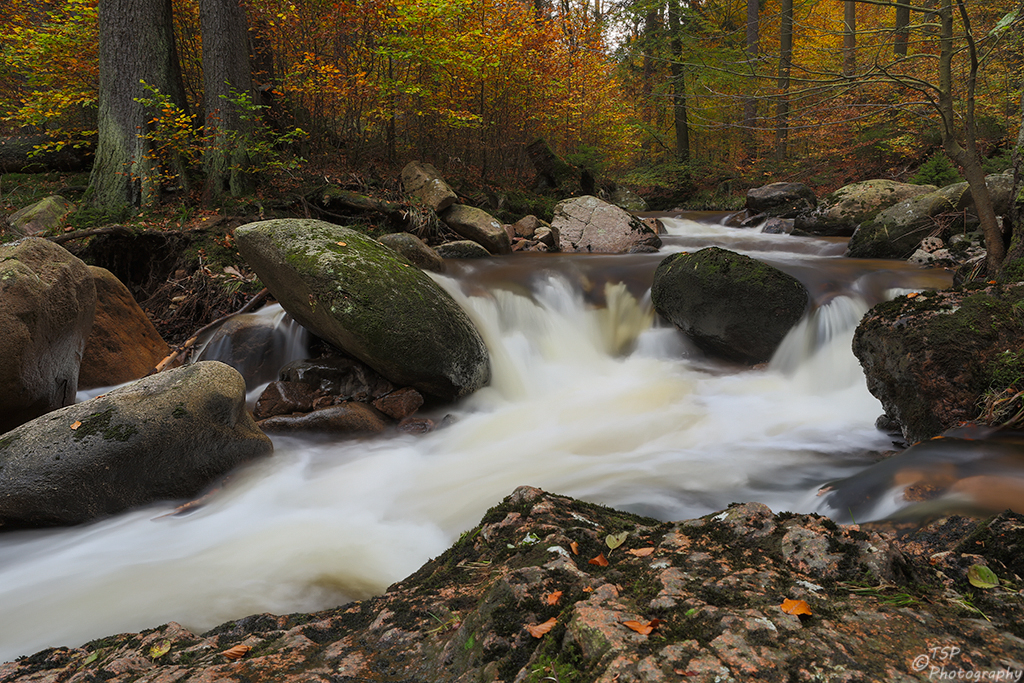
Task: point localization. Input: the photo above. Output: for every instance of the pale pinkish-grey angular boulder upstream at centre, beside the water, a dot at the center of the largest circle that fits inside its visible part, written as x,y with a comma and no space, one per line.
592,226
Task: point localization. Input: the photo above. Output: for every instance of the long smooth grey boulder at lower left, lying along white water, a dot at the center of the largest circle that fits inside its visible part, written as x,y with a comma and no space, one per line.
165,437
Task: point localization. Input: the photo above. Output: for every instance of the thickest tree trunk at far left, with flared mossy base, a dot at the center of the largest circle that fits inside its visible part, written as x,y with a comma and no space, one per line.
137,44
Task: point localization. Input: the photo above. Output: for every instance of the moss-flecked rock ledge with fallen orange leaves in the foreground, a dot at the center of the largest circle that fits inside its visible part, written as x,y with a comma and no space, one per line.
710,592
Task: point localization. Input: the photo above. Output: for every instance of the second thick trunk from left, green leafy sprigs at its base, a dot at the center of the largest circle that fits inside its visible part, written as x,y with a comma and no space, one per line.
227,86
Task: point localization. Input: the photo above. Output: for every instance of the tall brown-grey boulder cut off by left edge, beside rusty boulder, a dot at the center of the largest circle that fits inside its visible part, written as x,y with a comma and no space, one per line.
48,303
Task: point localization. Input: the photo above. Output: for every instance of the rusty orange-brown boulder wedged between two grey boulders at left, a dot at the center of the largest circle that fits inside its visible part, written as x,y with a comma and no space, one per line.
123,346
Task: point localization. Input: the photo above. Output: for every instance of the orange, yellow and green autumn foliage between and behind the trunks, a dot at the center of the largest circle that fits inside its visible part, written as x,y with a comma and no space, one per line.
470,83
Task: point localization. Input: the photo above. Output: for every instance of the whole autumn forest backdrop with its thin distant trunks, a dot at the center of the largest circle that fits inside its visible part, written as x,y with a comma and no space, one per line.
711,94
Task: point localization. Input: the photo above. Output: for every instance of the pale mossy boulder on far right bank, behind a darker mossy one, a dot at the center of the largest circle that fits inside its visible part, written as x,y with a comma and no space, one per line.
839,214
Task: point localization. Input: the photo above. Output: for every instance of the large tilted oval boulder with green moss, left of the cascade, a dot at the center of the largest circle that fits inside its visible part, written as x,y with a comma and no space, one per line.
369,302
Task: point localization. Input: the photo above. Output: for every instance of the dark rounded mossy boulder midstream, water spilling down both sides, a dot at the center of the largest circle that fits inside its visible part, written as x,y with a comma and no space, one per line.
733,307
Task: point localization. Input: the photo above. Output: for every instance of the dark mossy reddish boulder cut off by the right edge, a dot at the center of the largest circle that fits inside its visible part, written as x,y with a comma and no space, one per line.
932,359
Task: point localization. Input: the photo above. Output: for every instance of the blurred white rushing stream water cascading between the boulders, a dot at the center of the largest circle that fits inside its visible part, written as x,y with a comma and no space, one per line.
600,404
